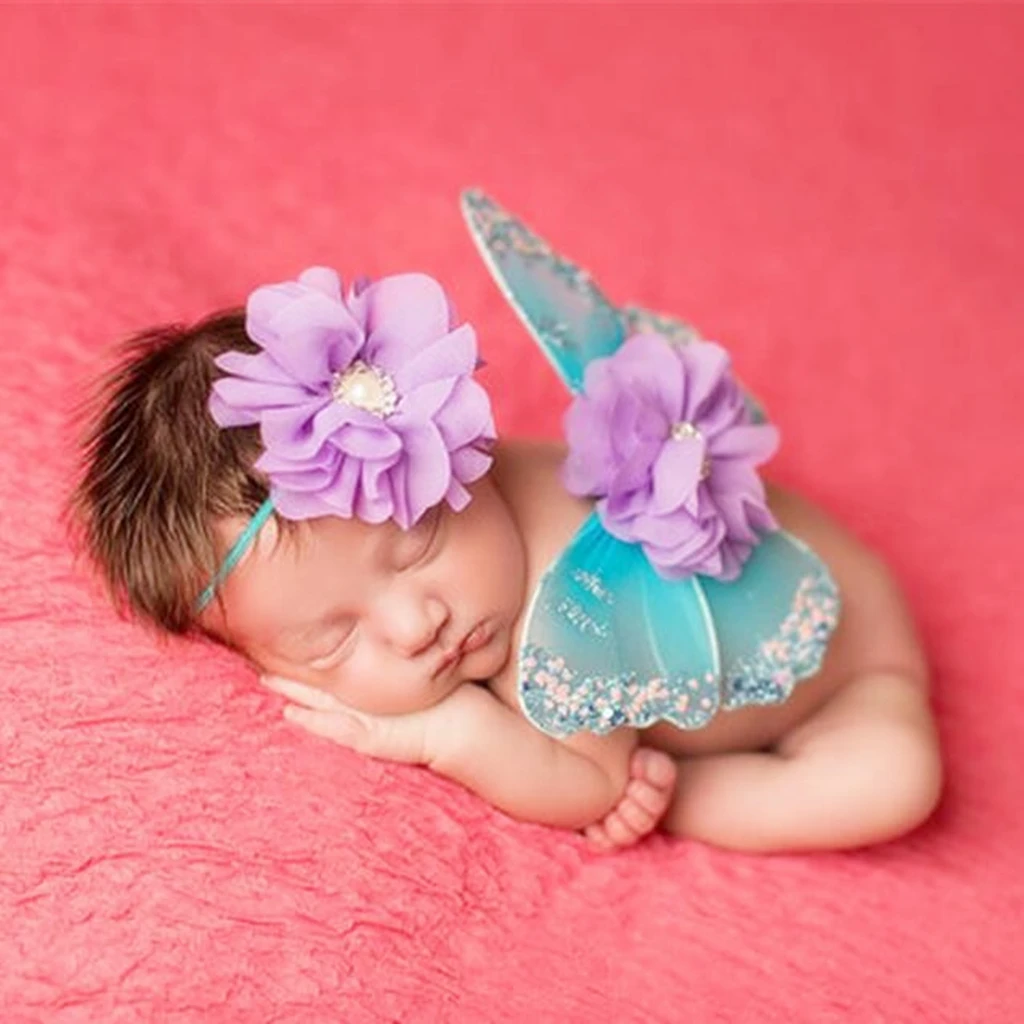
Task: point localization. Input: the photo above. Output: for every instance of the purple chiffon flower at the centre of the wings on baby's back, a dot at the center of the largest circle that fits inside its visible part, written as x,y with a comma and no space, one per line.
662,436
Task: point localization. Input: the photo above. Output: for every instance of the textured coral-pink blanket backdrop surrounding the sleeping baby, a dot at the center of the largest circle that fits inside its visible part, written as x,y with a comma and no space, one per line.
834,192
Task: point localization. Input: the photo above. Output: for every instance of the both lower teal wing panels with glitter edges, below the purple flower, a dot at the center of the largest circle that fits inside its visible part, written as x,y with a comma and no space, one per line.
609,643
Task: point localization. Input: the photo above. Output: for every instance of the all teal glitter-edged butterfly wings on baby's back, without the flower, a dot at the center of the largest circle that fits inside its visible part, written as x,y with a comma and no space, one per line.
608,641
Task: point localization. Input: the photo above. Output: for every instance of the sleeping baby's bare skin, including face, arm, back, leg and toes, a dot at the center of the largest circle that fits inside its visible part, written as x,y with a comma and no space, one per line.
403,646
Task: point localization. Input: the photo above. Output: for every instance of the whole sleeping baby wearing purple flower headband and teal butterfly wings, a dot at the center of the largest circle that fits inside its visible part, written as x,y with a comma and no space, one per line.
624,632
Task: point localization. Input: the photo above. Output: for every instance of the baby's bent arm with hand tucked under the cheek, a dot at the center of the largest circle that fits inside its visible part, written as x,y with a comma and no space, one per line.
477,741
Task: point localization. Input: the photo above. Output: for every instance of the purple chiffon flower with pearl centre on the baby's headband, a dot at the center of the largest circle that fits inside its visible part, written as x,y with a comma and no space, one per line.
366,403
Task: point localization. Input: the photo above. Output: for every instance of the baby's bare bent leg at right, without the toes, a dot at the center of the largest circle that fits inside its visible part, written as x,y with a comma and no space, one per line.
864,770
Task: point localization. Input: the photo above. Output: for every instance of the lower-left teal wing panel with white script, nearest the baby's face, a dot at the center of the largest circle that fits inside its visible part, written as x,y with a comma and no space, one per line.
608,644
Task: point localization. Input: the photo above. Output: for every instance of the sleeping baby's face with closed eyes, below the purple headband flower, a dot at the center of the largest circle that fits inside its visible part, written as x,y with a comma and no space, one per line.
388,621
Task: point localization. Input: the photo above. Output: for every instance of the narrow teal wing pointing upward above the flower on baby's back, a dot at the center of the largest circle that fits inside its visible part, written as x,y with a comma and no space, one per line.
558,301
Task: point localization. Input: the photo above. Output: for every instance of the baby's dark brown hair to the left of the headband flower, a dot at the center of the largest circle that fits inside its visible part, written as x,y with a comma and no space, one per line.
157,473
